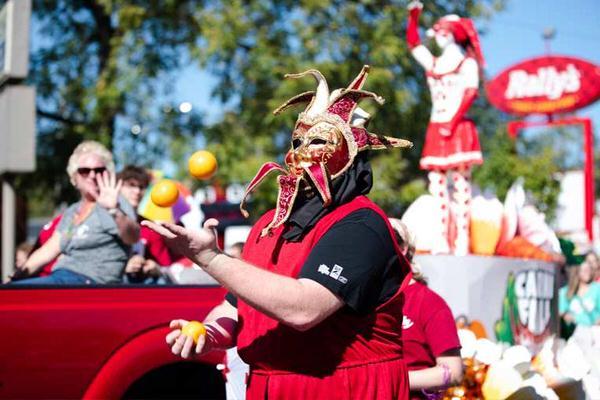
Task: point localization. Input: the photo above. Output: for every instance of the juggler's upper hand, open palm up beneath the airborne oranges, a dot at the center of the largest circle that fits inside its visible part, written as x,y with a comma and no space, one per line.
198,246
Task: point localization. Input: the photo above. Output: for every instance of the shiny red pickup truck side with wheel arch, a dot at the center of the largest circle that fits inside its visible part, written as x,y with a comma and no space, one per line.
102,342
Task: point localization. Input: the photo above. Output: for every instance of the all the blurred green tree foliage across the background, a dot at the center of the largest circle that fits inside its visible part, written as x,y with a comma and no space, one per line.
101,65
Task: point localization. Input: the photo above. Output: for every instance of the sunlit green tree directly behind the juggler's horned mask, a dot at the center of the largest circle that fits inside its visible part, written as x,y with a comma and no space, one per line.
249,46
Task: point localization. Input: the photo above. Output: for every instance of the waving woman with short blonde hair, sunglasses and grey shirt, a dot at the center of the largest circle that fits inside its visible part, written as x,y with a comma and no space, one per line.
92,239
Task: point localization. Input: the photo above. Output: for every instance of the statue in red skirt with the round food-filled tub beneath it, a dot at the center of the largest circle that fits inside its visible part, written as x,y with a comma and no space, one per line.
459,236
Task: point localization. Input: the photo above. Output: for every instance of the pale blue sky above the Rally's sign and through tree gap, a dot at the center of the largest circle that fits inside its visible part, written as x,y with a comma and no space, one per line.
510,36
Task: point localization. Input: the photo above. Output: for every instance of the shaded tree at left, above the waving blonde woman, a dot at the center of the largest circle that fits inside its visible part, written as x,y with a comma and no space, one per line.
97,65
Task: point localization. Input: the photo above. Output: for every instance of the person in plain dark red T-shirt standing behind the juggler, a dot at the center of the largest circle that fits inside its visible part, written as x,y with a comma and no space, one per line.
430,339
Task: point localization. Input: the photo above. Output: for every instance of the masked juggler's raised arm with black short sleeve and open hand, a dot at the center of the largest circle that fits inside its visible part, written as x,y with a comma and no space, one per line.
345,267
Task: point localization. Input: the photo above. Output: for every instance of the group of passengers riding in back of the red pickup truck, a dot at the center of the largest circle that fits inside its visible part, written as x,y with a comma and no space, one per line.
99,239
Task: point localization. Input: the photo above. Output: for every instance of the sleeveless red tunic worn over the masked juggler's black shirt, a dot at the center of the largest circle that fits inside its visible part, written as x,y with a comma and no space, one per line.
342,341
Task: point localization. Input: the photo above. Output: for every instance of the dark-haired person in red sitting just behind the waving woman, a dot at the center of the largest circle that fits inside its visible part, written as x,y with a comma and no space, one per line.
150,252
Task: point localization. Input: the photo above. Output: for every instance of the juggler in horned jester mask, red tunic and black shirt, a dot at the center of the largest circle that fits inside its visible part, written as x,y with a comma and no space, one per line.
315,303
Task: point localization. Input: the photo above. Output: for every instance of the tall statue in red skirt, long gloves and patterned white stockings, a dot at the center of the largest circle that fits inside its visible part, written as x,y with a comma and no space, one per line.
451,143
